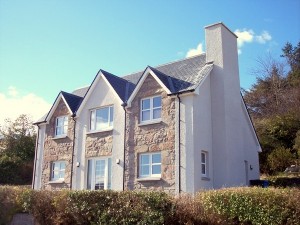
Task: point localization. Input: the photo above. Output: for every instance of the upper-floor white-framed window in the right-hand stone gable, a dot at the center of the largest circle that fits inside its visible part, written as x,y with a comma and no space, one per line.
151,109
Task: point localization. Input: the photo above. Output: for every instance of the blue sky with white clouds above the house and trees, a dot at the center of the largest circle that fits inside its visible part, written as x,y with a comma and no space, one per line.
51,45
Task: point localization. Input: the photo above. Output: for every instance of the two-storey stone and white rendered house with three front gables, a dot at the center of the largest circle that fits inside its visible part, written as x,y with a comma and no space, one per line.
177,127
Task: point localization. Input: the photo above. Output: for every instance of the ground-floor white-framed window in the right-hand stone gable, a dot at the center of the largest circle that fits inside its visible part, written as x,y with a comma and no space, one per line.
150,165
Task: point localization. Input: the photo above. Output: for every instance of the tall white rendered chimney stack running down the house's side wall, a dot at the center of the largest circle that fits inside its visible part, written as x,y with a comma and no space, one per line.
227,120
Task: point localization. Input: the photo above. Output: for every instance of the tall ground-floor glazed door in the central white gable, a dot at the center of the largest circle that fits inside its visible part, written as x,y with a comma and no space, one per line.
99,174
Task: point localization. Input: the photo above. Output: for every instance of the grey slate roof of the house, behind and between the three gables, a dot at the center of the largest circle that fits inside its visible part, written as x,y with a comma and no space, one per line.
178,76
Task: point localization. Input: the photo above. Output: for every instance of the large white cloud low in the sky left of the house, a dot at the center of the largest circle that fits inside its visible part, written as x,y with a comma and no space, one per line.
13,104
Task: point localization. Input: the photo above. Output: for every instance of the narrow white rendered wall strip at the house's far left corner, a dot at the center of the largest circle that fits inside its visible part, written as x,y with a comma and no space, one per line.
39,157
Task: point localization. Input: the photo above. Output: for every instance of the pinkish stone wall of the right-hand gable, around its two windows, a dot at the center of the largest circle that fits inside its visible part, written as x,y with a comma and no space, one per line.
151,138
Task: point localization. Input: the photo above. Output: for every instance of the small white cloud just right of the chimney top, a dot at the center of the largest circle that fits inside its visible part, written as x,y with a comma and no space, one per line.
249,36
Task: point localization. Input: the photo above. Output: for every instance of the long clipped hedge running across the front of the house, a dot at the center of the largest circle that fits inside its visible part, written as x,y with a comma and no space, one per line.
225,206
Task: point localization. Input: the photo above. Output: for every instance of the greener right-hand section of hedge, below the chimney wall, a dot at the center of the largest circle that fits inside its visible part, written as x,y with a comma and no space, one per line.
254,205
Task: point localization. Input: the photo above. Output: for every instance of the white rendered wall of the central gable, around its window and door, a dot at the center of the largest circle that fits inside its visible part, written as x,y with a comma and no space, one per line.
102,95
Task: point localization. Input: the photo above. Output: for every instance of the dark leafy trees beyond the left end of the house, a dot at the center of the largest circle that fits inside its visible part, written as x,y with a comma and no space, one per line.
17,146
